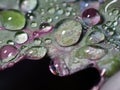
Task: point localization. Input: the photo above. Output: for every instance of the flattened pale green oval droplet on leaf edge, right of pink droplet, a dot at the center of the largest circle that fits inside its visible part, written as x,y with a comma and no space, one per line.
36,52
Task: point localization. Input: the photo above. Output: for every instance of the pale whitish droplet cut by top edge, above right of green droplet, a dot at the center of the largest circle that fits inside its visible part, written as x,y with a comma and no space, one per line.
28,5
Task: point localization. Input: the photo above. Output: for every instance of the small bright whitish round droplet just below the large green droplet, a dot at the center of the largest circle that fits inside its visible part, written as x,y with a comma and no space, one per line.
21,37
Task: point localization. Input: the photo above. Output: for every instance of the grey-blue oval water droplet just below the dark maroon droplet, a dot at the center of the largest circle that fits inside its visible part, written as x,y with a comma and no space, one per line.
95,37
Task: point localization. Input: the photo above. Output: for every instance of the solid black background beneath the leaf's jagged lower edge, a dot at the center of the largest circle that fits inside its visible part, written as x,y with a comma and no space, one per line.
35,75
